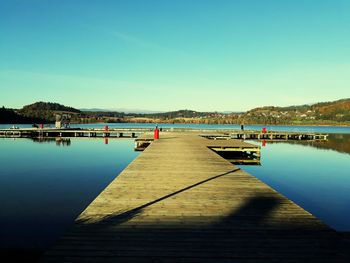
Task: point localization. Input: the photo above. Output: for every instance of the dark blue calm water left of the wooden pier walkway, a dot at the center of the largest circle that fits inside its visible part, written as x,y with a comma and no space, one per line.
45,187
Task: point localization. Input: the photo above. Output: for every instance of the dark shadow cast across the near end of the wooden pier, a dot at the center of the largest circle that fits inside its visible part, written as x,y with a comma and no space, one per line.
247,234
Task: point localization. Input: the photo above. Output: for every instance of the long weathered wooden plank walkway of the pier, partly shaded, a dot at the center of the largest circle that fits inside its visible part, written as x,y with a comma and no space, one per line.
181,202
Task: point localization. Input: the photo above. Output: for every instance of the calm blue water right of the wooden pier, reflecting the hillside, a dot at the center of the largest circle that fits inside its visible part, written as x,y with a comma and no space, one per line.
314,175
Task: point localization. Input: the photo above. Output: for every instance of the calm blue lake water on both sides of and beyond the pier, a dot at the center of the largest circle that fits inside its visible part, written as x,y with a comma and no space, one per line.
45,185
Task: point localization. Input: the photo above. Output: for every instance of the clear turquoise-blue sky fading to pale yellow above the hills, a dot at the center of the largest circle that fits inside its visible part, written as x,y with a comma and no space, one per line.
225,55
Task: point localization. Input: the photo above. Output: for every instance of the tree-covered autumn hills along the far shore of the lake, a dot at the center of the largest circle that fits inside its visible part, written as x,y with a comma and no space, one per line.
324,113
